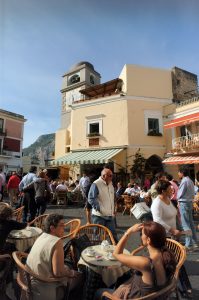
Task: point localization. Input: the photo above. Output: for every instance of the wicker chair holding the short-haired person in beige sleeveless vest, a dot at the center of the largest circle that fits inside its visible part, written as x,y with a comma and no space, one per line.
25,274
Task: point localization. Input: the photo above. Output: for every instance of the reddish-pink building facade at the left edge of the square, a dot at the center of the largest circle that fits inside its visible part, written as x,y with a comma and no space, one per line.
11,140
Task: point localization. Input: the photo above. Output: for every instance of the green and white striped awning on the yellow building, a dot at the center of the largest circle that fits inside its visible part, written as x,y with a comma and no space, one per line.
87,157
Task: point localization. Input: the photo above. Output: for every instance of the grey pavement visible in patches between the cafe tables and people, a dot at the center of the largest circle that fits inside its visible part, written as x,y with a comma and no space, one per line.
124,222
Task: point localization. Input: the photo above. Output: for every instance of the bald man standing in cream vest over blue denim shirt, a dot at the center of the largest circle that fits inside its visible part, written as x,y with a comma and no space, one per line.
101,197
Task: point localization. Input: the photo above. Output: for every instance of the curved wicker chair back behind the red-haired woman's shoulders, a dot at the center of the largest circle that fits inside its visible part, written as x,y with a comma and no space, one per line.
179,253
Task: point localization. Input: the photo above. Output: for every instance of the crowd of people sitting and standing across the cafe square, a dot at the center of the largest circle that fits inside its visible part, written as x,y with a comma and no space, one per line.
171,208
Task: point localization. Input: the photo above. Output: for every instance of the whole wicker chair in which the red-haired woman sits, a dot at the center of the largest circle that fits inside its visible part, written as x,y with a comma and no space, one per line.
180,256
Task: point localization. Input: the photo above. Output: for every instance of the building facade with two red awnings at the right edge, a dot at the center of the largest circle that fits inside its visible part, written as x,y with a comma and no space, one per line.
182,136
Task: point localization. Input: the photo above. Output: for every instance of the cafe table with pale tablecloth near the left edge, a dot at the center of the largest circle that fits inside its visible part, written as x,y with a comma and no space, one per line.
25,238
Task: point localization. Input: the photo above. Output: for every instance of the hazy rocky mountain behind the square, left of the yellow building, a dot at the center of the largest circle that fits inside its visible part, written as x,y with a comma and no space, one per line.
42,149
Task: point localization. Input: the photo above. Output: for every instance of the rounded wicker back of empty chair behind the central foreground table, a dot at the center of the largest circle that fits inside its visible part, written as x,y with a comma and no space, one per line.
96,233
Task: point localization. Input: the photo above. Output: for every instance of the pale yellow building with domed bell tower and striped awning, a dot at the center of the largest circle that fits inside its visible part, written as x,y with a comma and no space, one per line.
110,122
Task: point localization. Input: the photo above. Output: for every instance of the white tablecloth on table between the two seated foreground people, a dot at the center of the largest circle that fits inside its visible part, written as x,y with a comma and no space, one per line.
110,270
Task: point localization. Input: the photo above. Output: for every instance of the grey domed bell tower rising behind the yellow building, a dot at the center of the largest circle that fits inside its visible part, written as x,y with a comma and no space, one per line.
79,77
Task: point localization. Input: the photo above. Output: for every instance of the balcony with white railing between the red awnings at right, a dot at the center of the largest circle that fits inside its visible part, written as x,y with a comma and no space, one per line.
186,143
